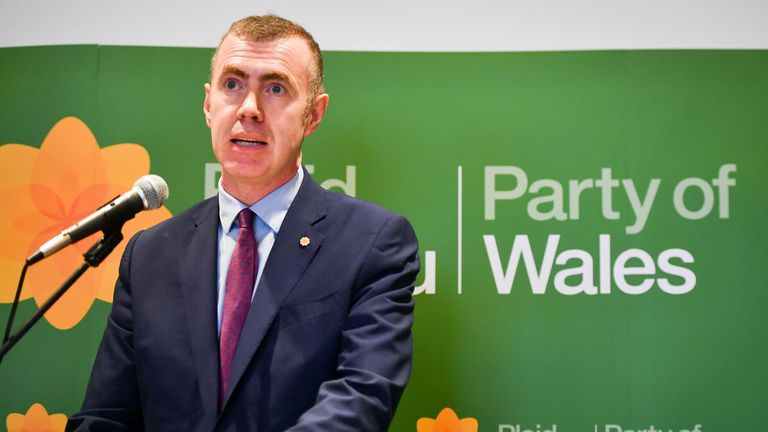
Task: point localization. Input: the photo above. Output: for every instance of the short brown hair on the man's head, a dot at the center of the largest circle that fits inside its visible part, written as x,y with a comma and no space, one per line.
272,27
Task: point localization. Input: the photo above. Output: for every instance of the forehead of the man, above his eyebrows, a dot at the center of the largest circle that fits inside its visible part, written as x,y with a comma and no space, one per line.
290,56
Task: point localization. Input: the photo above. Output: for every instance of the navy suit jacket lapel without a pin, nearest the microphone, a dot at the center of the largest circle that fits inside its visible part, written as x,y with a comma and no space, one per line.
197,272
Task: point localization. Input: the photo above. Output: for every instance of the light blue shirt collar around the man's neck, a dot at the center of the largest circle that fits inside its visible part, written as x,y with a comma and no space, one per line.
271,209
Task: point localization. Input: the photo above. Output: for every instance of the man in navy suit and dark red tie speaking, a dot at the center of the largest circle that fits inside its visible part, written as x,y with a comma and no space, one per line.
298,318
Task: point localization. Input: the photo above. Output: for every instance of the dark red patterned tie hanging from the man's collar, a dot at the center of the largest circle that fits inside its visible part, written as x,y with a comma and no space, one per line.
241,277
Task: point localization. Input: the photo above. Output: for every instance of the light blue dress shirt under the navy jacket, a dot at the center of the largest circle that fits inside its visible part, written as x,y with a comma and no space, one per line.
270,213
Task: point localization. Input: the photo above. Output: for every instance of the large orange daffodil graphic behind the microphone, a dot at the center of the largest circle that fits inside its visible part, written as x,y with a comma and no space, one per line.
45,191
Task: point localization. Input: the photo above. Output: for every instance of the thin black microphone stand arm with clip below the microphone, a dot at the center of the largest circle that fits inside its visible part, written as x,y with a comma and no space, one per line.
95,255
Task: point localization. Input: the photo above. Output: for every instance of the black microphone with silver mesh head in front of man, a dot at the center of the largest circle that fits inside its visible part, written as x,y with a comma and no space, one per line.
148,193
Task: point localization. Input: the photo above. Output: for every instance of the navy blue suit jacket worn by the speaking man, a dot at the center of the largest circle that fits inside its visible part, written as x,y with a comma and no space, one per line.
326,345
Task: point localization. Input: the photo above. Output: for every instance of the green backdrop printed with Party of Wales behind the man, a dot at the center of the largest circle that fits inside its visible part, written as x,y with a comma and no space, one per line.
408,124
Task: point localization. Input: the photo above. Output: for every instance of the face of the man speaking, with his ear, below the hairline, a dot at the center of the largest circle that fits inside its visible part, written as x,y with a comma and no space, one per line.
259,110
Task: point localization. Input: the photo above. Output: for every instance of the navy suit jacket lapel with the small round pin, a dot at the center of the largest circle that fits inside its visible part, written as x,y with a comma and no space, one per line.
287,262
